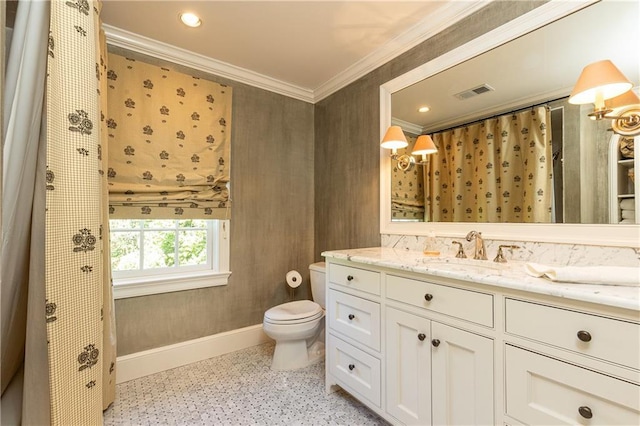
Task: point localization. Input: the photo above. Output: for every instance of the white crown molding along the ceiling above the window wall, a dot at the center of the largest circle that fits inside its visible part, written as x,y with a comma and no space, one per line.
147,46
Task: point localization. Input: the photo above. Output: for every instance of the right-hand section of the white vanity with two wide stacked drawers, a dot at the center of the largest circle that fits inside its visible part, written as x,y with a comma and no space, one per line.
562,389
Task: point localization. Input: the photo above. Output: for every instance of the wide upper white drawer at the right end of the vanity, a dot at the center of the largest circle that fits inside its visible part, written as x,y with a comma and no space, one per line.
604,338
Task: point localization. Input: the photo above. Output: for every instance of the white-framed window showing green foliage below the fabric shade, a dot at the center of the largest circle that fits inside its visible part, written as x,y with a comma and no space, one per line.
155,256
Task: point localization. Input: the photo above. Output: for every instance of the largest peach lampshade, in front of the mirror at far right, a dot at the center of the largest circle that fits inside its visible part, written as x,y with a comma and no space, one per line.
599,81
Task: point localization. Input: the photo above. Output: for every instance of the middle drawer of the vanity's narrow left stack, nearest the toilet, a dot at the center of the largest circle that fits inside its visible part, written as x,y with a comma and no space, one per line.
355,317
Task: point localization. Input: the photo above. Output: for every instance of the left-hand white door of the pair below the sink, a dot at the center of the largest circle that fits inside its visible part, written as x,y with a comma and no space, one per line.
408,368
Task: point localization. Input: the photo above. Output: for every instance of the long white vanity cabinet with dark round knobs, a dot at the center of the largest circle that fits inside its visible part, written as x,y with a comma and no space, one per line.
422,349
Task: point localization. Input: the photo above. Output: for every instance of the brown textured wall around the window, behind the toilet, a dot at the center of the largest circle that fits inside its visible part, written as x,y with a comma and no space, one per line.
271,228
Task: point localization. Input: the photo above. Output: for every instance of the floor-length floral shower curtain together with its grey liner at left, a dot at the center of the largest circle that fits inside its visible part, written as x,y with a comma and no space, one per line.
58,344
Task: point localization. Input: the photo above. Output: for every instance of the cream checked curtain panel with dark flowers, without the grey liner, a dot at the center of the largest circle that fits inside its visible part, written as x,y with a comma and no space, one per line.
79,303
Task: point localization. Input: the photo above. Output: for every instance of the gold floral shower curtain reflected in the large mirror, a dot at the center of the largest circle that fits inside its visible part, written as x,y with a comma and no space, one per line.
496,170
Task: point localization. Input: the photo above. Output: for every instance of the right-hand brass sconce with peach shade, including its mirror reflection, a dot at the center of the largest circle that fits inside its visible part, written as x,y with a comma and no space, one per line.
604,85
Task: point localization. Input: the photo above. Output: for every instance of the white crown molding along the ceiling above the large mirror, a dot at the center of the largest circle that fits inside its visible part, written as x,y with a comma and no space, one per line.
428,27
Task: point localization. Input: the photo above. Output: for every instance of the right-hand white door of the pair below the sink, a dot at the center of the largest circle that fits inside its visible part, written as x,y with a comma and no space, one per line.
462,377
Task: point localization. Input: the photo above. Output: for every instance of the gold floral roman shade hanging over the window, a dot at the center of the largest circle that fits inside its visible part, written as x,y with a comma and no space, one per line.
169,143
